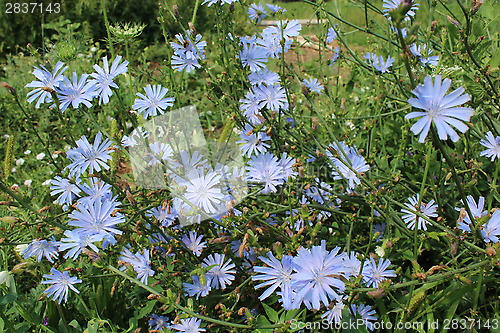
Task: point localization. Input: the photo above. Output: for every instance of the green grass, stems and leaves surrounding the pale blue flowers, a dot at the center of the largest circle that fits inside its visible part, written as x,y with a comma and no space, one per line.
442,274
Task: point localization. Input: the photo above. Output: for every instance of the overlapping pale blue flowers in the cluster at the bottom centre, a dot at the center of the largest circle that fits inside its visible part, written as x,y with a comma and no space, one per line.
317,276
